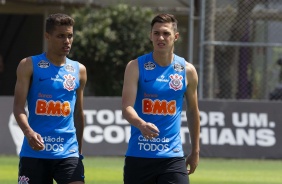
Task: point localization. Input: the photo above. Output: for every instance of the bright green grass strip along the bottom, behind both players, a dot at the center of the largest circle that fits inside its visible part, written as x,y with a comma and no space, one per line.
108,170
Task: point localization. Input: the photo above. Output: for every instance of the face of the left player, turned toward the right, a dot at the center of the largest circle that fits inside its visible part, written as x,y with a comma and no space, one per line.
60,40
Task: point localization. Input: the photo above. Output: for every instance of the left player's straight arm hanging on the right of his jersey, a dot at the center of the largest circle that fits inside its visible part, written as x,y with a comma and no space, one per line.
78,112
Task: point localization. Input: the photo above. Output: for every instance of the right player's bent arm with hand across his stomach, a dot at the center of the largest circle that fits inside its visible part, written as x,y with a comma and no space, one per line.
129,92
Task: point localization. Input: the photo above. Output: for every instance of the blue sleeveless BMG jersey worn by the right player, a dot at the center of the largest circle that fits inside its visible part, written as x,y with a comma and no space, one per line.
159,100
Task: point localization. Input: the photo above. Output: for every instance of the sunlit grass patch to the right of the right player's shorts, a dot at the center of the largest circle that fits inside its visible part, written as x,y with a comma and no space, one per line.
237,171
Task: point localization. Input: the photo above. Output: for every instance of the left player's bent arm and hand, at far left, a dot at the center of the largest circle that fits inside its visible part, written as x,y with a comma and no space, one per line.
24,74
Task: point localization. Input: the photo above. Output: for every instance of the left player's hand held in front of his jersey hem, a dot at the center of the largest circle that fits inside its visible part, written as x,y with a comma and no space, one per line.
35,141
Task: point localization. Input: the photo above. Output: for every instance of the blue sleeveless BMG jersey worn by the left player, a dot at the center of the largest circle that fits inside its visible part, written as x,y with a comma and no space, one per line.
51,100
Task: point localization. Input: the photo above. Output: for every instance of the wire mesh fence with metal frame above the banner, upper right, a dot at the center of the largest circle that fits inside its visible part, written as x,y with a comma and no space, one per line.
240,55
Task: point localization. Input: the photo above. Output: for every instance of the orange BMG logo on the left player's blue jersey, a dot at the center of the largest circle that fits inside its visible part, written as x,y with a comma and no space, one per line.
52,108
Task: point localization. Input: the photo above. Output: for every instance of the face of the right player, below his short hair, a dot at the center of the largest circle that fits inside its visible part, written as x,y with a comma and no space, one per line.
163,36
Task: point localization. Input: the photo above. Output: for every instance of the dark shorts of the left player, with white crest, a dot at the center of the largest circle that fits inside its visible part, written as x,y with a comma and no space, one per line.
43,171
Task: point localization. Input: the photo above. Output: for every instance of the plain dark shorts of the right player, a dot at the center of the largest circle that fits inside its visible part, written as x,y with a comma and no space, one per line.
155,171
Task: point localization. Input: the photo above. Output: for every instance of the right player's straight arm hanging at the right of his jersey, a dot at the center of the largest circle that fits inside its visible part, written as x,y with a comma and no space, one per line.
193,117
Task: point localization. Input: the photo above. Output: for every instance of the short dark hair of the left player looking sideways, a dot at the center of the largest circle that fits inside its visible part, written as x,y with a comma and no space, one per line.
58,19
